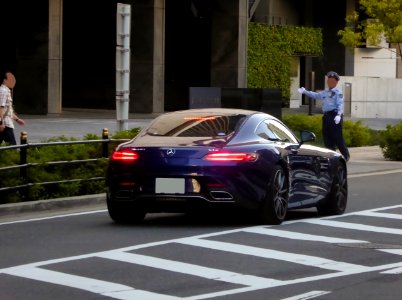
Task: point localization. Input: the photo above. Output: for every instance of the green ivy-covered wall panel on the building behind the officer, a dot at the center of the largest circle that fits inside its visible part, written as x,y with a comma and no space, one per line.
271,50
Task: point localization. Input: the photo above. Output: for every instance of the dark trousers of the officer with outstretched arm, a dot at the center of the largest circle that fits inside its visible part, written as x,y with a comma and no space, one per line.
332,133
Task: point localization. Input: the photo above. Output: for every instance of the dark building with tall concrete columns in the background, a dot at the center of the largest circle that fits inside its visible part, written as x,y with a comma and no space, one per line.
64,53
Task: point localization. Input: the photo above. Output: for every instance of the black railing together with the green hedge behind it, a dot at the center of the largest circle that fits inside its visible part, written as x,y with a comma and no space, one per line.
59,167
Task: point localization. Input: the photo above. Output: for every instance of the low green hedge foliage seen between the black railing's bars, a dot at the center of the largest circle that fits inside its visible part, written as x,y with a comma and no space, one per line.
43,172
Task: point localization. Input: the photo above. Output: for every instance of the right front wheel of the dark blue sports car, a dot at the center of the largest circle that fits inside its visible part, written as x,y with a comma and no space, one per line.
336,201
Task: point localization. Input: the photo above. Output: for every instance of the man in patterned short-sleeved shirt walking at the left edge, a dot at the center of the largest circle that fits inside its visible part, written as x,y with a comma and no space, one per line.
7,114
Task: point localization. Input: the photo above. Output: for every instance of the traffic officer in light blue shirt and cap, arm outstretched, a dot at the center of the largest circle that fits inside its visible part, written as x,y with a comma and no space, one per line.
332,107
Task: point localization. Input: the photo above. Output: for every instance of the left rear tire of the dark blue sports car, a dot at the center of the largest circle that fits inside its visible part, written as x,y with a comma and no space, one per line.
125,213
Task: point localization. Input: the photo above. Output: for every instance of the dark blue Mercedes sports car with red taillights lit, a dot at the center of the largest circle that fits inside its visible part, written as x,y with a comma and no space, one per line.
217,157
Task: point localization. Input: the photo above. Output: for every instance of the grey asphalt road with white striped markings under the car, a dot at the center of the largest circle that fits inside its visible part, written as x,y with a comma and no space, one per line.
171,256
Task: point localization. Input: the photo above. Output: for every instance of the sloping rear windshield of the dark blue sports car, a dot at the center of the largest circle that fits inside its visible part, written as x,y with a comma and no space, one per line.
200,125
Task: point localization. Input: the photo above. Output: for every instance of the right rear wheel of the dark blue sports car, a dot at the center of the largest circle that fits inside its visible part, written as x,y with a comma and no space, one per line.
275,206
